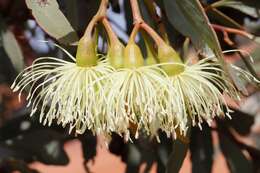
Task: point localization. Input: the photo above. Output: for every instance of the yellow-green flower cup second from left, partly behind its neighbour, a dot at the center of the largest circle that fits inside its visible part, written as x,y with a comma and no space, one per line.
116,54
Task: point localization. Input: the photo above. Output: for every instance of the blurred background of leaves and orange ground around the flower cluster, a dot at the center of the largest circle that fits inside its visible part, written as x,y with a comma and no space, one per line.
26,146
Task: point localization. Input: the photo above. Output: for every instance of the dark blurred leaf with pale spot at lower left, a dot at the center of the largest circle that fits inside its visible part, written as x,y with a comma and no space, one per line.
47,148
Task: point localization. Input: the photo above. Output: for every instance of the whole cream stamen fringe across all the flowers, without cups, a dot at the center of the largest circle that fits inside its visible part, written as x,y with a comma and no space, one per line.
105,100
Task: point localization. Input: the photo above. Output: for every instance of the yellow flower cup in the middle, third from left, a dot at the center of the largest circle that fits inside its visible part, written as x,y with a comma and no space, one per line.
133,56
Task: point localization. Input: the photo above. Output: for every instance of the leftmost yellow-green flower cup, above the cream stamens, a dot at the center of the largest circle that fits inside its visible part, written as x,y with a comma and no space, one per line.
86,52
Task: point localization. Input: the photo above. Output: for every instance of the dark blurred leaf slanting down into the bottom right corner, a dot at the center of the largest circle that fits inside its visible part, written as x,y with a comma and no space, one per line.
236,160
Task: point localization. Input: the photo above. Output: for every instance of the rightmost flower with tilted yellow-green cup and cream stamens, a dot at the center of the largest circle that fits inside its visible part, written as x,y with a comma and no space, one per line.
200,87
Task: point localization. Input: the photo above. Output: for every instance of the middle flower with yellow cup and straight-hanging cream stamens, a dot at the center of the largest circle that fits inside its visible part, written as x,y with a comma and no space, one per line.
141,96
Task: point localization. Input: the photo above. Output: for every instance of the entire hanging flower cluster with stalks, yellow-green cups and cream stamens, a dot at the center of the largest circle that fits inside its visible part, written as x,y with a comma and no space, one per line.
122,91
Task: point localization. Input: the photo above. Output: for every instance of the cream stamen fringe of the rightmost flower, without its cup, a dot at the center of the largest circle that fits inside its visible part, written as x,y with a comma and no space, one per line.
200,87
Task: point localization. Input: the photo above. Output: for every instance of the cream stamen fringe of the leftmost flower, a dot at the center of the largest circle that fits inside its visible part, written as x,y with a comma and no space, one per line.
67,92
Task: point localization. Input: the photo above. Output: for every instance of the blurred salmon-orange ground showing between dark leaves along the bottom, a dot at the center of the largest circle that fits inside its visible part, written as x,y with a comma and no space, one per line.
106,162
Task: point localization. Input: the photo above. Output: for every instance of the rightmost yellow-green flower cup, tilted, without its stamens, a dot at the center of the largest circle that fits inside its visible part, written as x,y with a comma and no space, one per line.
167,54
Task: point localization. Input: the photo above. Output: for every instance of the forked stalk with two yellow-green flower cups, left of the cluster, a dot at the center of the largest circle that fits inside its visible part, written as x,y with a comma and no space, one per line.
86,53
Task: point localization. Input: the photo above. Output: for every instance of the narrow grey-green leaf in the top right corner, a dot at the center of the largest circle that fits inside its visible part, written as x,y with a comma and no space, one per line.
239,5
